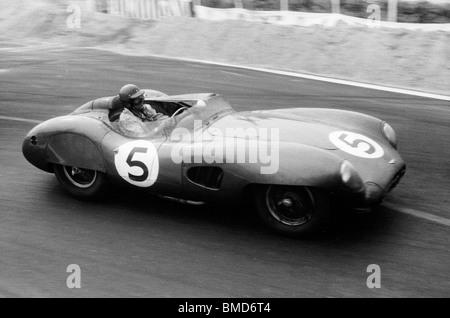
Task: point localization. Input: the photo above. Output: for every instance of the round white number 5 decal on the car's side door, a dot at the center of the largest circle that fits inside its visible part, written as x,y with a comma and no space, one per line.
137,163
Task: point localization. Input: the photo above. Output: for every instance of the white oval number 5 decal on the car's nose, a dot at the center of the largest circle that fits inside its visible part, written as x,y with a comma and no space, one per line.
356,144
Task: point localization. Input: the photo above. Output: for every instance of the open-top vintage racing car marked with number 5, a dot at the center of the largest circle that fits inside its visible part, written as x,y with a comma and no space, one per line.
294,164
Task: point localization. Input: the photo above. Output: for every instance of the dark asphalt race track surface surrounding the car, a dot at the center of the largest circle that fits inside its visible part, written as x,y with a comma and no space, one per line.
133,245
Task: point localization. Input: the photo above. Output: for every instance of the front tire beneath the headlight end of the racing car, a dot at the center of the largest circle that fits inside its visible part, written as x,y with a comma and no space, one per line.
291,210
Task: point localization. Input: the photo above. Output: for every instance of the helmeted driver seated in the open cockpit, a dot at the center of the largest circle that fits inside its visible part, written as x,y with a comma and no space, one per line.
136,112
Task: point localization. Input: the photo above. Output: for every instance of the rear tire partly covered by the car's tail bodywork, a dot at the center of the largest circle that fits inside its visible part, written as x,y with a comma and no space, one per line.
83,184
